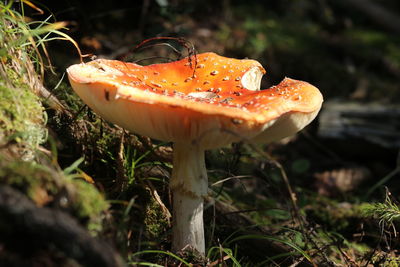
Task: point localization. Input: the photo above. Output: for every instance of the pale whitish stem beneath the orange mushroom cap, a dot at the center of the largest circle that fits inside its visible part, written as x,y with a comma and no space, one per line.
189,186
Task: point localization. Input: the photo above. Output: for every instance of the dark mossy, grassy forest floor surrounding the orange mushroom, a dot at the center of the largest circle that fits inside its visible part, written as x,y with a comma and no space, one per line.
66,174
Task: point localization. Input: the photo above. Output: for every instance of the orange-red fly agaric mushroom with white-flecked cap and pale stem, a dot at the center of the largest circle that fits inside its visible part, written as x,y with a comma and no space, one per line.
198,103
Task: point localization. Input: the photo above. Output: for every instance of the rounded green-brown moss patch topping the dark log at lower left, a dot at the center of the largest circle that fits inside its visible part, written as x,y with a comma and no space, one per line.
48,187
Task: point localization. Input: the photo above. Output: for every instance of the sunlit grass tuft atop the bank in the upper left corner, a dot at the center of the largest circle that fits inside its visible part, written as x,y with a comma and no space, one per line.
23,39
